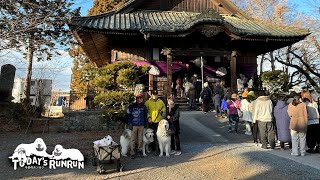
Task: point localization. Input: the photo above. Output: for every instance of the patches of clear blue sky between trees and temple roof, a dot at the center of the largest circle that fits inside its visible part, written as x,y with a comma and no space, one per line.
59,69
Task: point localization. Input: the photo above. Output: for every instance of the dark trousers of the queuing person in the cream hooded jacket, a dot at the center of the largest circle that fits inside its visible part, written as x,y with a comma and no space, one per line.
267,134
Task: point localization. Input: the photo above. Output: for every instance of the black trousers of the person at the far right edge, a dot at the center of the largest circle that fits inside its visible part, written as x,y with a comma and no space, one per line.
313,135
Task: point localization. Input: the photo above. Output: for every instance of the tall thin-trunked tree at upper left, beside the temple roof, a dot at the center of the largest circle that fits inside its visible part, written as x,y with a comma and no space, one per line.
37,28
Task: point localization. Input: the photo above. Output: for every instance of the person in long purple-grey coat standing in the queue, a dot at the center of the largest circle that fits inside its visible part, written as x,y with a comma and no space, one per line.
283,122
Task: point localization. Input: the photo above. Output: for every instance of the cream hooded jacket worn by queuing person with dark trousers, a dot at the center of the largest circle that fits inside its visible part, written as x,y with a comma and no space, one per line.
262,109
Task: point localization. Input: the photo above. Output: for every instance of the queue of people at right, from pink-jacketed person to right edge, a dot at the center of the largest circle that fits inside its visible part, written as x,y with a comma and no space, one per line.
291,121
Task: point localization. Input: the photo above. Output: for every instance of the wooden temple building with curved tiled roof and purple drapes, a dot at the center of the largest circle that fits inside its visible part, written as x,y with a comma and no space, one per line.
177,35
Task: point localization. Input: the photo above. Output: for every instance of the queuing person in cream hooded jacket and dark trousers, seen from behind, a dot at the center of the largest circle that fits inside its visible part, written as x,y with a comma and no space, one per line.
262,114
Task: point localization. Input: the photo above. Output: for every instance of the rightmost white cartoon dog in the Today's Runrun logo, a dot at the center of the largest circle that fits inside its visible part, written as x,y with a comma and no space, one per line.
60,153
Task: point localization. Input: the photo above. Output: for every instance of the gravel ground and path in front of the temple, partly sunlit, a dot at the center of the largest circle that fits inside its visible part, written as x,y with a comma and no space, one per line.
219,156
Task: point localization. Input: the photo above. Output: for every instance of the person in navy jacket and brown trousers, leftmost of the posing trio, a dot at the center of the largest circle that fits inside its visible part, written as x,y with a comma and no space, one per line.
137,120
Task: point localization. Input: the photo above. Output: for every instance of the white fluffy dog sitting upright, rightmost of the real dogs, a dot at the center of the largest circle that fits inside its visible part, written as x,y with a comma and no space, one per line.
164,138
